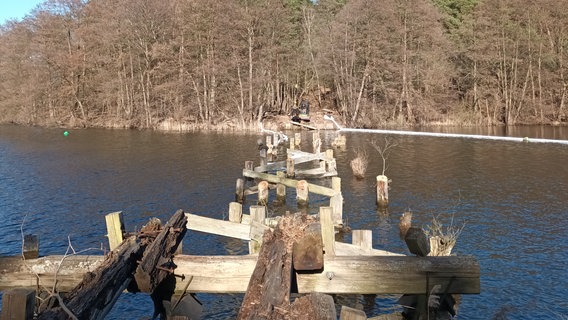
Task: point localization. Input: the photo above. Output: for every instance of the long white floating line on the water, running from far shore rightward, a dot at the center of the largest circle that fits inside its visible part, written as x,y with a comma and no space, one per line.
447,135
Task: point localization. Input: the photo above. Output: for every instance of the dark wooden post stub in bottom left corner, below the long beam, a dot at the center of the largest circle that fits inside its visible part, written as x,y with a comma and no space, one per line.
18,304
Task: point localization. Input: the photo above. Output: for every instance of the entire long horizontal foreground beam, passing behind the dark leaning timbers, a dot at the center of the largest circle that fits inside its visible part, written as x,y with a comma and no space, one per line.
219,274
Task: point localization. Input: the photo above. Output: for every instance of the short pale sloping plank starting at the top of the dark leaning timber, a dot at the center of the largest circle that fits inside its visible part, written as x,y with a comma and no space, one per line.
218,227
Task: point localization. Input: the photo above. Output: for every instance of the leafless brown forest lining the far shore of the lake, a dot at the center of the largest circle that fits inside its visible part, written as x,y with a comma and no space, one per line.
138,63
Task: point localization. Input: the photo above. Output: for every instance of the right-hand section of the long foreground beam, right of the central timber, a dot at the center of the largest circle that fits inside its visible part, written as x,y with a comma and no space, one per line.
400,275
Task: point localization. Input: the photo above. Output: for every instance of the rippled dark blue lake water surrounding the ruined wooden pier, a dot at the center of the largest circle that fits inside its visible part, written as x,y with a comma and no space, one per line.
512,198
